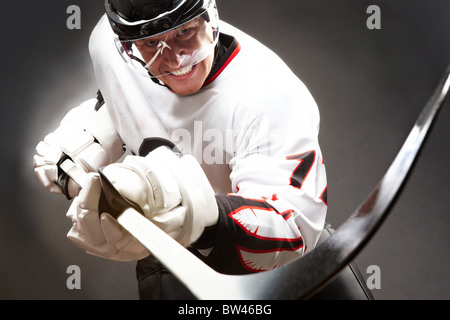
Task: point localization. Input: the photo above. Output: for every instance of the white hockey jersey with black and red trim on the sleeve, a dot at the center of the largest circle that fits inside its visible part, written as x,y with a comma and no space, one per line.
254,129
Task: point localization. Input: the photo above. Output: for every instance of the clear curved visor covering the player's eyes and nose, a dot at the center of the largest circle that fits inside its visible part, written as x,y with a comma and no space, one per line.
175,51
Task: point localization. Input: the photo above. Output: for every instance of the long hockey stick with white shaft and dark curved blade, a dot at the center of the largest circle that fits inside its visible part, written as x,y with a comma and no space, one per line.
303,277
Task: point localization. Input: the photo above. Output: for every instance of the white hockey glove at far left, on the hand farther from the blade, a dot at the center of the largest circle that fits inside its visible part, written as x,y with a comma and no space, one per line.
84,135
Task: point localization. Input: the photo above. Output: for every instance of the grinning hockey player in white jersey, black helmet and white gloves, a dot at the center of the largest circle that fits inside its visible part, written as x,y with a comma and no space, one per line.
194,99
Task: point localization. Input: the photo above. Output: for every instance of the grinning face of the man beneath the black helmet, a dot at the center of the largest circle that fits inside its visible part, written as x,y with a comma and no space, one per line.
171,55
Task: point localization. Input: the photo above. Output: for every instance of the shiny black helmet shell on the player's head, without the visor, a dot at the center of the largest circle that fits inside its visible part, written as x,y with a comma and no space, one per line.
137,19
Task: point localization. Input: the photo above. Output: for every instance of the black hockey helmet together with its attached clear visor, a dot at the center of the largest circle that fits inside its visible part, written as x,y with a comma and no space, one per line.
155,23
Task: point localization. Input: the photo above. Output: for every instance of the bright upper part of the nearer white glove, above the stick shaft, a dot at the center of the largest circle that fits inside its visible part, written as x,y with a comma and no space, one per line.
173,192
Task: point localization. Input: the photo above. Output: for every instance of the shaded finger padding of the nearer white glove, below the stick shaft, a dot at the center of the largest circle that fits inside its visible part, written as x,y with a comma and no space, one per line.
100,234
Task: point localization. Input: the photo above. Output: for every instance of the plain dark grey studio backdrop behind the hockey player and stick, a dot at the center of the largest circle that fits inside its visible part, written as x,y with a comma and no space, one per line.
370,86
